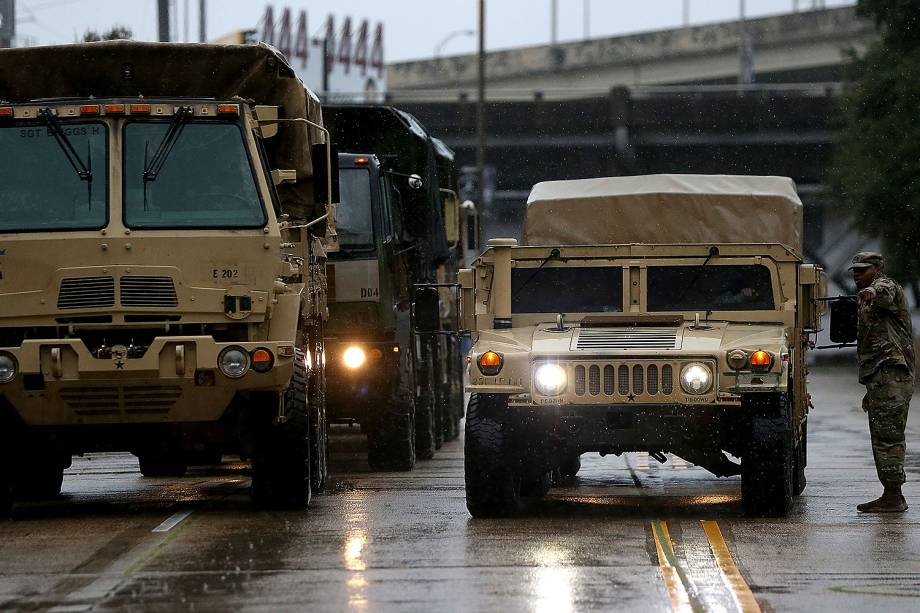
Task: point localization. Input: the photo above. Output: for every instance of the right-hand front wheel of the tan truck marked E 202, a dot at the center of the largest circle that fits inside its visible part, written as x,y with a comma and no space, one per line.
281,451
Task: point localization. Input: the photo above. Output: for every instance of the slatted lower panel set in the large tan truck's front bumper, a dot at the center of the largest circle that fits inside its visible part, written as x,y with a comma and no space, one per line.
141,400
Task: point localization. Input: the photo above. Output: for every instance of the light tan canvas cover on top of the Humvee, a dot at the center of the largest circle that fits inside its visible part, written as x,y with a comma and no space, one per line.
665,209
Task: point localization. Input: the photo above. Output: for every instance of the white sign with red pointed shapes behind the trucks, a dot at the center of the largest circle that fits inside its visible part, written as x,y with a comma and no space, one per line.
344,61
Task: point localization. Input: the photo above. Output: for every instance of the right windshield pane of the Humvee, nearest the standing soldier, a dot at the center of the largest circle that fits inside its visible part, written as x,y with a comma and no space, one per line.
710,288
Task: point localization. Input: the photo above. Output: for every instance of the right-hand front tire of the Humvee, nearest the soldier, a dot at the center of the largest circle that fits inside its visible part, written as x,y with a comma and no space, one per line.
767,466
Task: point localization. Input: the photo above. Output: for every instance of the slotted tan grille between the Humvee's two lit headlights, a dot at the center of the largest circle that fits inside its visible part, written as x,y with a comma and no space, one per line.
645,381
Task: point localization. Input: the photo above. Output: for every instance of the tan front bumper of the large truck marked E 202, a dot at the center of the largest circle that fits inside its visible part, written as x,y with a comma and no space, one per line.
177,379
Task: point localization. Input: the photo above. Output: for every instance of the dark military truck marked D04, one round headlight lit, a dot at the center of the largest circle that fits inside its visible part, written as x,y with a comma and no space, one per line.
398,188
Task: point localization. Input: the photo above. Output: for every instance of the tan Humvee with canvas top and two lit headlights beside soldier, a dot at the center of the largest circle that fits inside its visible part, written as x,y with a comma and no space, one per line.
662,314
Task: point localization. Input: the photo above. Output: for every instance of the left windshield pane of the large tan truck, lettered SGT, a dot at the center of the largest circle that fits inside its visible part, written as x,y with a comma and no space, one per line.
41,190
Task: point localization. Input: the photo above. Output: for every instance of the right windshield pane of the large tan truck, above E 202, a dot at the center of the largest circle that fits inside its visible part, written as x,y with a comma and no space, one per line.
206,181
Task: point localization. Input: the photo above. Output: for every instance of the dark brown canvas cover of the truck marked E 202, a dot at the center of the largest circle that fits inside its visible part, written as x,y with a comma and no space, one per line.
128,69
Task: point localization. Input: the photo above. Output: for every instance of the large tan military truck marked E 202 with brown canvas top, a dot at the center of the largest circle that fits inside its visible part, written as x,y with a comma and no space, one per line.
162,285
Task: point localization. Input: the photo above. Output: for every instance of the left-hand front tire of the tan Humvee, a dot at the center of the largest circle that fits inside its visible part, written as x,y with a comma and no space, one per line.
492,474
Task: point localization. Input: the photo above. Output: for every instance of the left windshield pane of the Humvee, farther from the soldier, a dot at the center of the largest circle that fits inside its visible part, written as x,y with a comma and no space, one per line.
567,290
